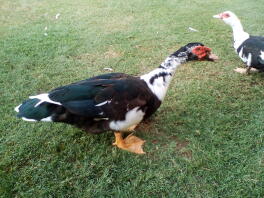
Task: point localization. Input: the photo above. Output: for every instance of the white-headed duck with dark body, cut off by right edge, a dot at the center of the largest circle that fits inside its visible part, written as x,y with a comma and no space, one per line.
249,48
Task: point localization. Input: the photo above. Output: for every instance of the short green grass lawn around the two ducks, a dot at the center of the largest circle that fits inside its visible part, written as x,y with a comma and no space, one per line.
207,138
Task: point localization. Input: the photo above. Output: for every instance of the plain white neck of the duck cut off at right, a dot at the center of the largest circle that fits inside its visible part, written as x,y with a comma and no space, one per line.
238,33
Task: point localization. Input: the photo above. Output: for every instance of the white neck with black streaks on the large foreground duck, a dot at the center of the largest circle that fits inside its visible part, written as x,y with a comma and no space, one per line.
158,80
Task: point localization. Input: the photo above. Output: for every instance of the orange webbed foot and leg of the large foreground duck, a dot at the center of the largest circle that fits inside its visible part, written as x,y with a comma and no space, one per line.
131,143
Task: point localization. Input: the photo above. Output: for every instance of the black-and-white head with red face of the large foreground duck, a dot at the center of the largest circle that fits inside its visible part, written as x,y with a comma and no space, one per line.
195,51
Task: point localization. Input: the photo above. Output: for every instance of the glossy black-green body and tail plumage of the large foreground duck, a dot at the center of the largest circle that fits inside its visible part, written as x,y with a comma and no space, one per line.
79,101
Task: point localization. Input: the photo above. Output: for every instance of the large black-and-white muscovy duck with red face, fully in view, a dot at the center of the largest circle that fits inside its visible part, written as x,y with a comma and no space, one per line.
113,101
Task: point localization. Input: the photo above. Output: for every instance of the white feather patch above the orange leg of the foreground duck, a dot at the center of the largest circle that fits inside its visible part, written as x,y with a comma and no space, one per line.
132,118
